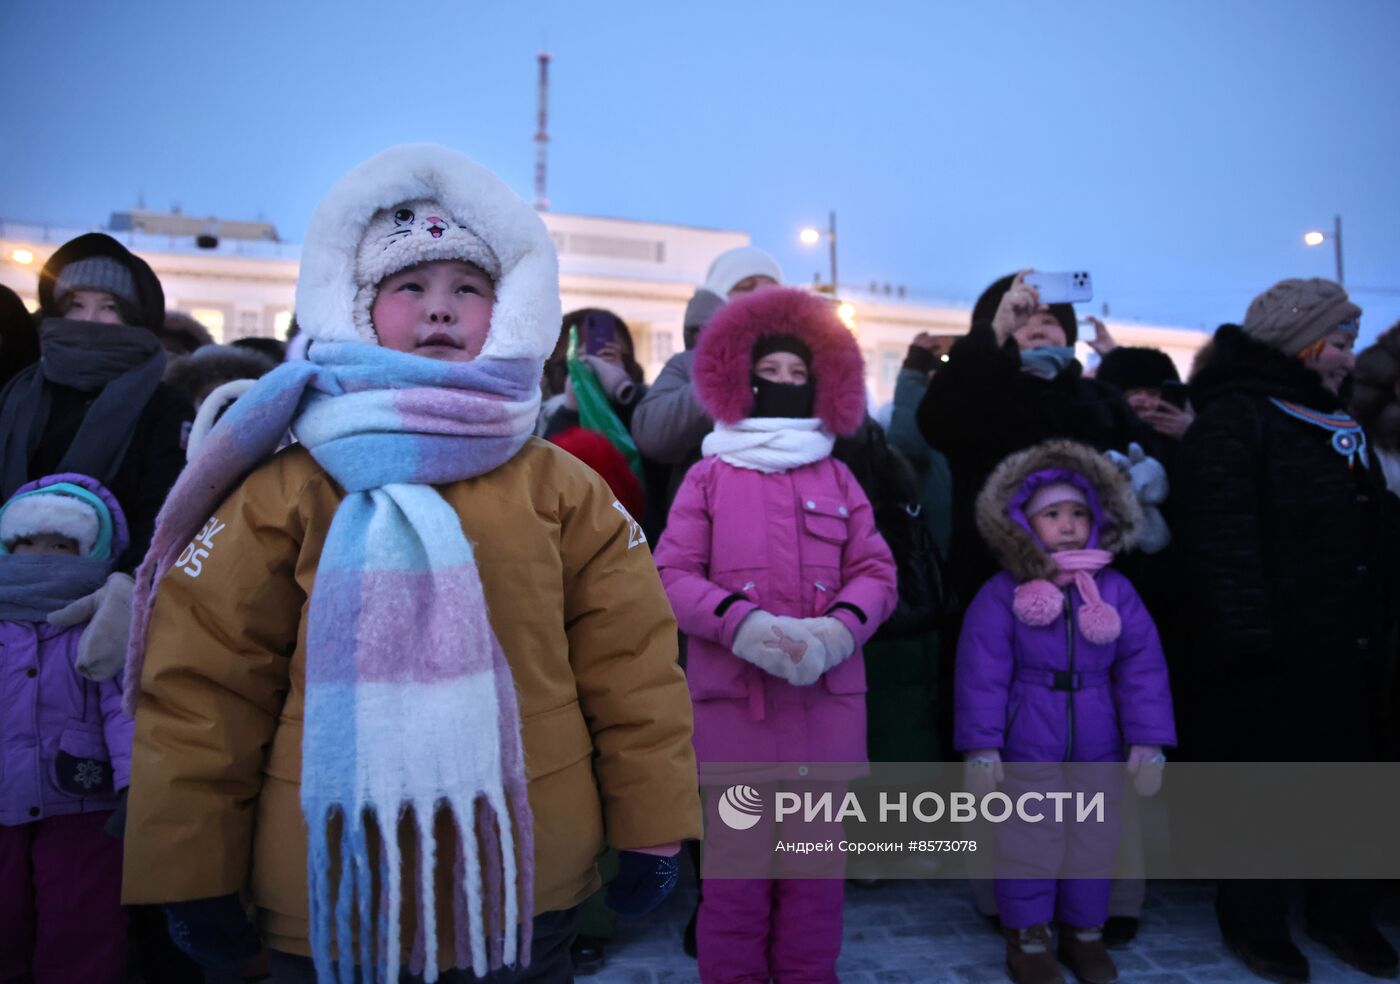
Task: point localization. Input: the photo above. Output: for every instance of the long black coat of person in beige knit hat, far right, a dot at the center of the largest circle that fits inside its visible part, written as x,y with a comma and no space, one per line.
1289,554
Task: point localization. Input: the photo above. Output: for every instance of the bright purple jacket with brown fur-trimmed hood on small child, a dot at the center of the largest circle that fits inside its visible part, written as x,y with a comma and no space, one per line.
1006,673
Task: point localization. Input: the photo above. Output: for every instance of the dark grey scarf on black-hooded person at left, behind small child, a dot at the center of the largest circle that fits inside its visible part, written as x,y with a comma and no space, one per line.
121,363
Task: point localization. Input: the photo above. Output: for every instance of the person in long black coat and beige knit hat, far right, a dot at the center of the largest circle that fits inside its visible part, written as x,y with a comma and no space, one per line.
1284,523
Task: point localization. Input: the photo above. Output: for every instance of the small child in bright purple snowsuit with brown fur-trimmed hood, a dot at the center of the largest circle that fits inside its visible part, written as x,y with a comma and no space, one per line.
1059,661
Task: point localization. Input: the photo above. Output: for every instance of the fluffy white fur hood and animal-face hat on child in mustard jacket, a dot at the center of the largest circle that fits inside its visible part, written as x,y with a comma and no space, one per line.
527,314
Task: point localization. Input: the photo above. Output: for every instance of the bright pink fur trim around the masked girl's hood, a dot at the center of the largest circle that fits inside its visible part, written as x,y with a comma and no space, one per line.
724,356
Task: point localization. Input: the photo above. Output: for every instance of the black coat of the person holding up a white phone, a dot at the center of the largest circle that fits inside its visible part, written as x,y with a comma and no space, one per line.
982,408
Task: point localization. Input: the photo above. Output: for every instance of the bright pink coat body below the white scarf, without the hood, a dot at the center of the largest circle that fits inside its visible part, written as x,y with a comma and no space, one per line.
800,544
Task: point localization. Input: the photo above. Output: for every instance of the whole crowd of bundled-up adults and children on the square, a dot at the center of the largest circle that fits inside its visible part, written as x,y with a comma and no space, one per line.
394,652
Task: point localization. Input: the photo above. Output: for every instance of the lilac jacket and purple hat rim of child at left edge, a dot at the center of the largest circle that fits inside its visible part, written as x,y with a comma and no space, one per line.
65,741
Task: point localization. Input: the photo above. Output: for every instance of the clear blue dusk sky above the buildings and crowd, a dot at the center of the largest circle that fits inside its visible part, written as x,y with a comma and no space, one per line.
1178,150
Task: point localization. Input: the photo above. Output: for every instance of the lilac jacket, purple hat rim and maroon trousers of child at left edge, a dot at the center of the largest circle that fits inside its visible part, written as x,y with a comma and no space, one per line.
65,754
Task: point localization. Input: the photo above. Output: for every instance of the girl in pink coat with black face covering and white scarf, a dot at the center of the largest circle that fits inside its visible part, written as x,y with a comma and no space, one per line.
778,576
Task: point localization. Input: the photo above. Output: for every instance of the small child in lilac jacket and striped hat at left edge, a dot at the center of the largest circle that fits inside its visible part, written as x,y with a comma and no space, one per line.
65,741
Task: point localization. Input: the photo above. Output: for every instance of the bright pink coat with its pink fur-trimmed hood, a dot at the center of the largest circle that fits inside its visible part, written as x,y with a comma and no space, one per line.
800,544
